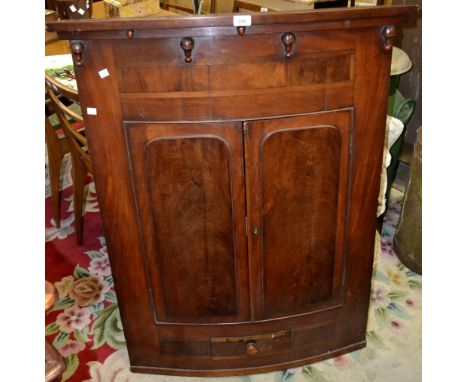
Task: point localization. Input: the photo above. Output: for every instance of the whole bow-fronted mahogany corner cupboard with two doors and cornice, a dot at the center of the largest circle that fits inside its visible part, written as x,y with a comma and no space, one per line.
237,165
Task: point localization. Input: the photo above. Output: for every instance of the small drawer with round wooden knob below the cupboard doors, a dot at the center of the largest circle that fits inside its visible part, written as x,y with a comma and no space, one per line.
254,346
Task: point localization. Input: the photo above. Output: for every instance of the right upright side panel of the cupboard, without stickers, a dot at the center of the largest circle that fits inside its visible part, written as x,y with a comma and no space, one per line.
370,95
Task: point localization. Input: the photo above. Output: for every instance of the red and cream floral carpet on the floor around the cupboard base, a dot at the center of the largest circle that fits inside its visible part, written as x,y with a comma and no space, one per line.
84,324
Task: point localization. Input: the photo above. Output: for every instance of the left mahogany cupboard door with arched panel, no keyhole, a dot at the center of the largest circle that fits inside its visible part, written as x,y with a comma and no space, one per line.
188,180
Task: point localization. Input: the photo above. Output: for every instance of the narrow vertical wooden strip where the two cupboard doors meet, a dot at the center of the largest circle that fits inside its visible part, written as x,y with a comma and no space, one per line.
248,188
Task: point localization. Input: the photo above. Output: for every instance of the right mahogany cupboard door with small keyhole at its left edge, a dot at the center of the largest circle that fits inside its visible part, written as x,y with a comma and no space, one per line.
297,191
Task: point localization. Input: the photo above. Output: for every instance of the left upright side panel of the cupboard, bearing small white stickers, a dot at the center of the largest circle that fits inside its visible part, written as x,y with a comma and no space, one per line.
107,146
